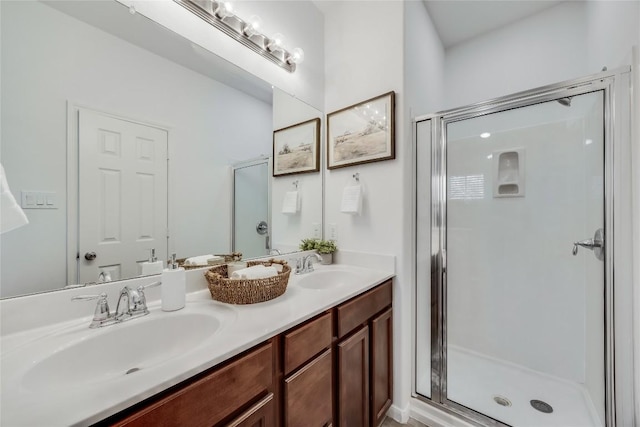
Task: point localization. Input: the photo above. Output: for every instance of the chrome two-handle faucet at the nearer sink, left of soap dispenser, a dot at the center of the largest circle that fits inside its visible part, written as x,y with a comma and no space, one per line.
132,303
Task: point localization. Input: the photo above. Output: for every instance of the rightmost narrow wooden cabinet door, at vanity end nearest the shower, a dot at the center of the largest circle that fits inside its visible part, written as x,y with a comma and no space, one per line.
381,366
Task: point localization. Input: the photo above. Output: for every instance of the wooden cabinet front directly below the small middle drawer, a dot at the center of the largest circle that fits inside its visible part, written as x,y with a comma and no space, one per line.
308,397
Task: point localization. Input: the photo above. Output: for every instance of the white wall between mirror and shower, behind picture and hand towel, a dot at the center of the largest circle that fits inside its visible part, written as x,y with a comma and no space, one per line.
362,62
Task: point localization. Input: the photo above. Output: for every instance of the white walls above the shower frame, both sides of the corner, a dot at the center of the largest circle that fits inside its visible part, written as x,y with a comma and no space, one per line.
573,39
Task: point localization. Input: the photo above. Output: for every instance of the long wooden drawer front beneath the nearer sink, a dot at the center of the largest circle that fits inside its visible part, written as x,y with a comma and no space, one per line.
214,397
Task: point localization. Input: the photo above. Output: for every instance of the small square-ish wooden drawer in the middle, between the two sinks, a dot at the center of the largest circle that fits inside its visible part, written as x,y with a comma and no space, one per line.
306,341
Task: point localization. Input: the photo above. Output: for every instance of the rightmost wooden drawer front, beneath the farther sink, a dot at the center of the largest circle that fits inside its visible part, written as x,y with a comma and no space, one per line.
360,309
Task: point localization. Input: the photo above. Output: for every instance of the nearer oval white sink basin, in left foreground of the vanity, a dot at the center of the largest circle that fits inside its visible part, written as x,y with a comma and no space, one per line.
116,351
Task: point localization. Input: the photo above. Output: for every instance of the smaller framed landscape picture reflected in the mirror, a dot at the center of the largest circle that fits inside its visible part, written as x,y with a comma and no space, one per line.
296,148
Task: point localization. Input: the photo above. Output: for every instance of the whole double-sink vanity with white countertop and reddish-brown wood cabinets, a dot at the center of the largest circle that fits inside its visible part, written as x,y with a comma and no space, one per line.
321,354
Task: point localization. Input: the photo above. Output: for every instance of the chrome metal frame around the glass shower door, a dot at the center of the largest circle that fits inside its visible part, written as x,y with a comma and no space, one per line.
604,82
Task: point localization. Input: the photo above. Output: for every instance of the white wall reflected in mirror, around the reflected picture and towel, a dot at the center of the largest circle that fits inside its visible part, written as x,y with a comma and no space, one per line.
289,229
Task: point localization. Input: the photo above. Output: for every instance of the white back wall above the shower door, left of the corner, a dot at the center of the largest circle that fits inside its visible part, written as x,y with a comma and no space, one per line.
545,48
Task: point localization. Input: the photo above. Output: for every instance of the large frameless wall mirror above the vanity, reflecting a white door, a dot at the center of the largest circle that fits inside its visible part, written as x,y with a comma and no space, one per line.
124,137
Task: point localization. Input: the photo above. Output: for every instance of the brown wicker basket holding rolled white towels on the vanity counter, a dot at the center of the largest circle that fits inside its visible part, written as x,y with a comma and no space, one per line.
247,291
